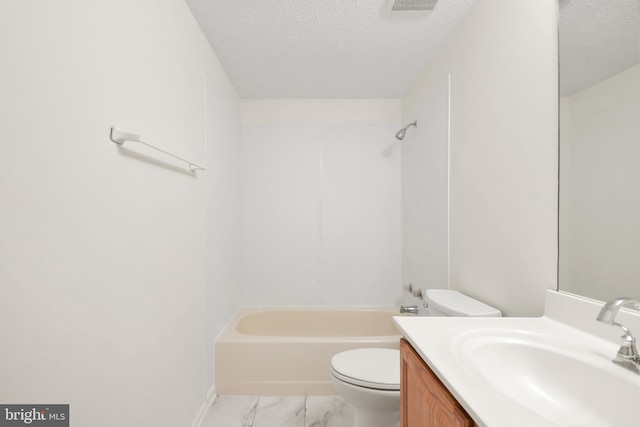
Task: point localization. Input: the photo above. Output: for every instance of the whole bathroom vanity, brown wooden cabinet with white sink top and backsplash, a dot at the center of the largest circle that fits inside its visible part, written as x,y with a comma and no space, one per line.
555,370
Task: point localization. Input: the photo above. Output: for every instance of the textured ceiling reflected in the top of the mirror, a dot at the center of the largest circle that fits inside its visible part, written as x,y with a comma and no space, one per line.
598,38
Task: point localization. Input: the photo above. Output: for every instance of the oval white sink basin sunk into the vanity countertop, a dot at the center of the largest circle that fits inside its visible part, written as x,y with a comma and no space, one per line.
563,380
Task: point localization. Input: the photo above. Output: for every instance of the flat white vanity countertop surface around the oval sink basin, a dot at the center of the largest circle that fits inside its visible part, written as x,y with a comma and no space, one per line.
440,341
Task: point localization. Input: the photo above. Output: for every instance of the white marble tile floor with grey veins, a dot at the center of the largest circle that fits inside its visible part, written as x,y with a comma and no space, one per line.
278,411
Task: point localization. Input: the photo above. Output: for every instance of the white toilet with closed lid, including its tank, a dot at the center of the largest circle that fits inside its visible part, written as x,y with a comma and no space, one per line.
369,378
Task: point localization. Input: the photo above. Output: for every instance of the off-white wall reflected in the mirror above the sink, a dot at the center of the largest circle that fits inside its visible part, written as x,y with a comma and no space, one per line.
600,197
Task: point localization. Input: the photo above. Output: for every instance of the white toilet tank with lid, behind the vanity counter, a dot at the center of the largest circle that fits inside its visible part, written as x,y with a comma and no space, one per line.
445,302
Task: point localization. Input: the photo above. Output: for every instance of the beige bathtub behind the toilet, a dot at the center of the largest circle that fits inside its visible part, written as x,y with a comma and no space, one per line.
287,351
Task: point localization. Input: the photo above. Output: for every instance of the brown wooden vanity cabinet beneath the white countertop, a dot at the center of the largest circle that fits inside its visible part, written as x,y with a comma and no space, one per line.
425,401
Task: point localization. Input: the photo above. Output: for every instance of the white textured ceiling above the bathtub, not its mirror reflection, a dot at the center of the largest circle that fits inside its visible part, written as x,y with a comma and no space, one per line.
324,48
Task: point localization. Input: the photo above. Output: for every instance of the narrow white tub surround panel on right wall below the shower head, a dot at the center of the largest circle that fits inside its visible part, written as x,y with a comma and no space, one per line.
425,194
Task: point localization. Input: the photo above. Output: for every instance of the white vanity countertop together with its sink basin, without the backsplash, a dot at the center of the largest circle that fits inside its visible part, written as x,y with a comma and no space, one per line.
527,372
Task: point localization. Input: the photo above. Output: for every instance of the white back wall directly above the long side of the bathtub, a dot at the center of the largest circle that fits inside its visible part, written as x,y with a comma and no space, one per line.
320,202
